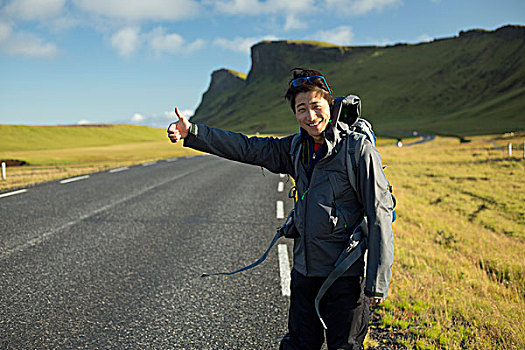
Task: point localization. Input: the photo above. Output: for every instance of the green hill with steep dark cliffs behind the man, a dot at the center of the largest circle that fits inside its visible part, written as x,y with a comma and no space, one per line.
470,84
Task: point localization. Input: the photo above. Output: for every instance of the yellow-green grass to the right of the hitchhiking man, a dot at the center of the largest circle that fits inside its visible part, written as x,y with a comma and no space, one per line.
458,280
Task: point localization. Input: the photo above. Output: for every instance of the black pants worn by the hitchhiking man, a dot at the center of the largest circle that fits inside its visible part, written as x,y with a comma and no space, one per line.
344,309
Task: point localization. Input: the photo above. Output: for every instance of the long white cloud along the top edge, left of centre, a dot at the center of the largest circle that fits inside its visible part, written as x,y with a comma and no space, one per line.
136,10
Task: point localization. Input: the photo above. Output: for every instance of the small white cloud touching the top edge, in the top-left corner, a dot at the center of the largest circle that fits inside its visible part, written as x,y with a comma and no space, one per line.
35,9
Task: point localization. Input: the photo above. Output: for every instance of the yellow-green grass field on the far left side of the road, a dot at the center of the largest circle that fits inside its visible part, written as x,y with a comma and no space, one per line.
59,152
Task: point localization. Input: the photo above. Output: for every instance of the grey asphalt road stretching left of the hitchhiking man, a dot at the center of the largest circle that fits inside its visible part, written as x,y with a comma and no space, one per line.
114,261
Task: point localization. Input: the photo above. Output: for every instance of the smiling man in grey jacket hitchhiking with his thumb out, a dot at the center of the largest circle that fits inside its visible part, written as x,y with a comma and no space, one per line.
327,211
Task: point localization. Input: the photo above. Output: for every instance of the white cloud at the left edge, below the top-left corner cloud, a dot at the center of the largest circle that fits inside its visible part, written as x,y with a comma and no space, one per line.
26,44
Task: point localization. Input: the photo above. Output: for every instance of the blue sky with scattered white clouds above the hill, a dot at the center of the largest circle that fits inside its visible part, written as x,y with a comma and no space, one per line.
132,61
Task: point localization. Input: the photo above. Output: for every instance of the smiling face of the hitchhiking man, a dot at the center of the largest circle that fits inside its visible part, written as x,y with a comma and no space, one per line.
313,113
